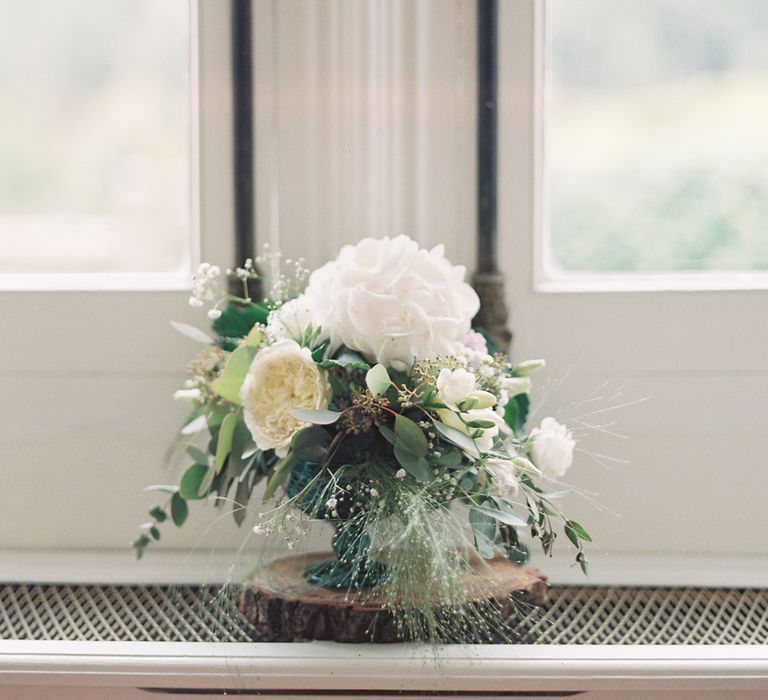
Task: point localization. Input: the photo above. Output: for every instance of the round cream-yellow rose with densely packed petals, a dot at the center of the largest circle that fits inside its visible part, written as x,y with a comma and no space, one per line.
282,377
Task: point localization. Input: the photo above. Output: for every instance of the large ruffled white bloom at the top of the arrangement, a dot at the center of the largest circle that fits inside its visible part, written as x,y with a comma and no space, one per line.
392,301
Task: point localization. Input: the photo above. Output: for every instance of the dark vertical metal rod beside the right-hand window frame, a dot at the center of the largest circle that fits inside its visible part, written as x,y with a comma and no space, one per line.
487,130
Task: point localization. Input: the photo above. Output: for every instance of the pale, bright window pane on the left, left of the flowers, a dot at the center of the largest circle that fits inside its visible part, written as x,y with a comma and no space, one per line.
94,136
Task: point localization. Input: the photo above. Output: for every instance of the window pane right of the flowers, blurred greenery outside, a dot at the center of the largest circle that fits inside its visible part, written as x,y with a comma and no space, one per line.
657,136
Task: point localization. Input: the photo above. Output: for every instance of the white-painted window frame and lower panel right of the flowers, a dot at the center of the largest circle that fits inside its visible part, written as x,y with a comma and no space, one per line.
672,339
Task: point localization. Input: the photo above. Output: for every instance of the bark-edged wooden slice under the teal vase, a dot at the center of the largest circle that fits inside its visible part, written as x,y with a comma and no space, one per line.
280,601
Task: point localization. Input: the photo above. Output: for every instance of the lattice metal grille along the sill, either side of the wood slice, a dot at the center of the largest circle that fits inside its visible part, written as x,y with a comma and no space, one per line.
574,615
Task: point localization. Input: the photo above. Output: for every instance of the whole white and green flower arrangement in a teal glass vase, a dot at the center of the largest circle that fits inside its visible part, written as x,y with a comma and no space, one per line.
367,401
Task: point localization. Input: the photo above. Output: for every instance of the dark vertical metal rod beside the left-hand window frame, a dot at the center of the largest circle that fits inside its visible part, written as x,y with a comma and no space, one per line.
242,111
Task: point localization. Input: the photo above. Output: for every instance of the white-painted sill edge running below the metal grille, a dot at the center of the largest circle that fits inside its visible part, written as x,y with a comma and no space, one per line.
333,667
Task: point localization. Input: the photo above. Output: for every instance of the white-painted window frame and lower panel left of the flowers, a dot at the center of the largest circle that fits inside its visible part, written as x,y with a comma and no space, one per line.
72,342
